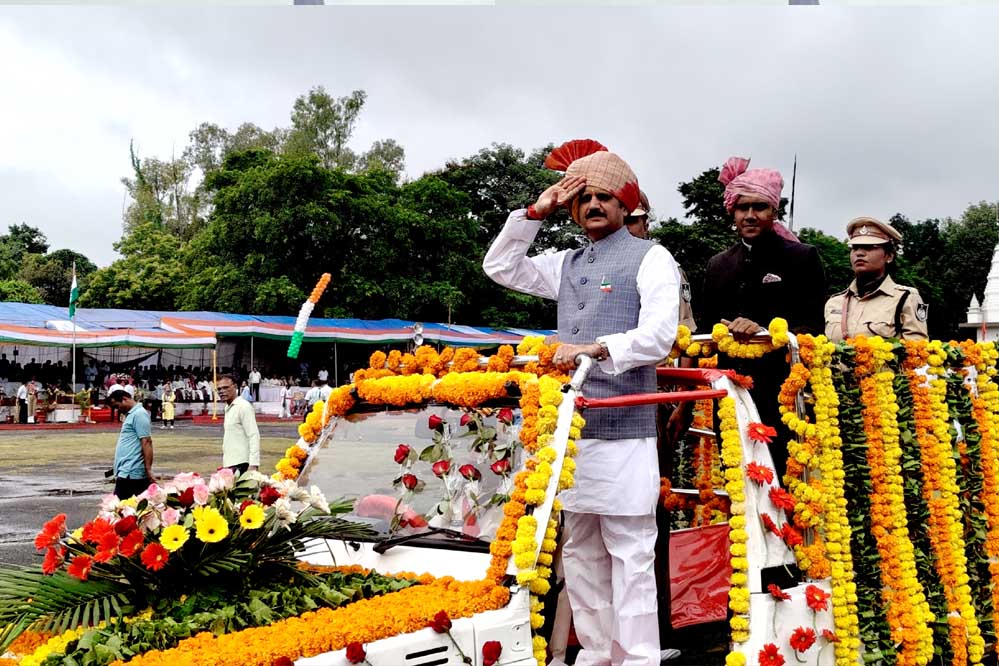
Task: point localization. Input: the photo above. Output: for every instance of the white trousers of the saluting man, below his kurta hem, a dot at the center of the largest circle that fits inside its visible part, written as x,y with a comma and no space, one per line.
611,581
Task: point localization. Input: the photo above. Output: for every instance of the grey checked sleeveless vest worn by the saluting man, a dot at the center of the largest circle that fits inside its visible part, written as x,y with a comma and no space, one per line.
598,296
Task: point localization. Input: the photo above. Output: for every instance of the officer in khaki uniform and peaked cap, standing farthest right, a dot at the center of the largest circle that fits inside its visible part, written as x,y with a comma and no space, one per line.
874,304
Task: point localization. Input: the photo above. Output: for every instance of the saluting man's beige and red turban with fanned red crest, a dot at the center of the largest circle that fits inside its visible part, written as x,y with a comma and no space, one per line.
602,169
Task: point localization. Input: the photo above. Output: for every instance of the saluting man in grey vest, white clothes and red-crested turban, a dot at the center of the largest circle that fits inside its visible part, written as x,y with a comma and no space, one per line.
618,302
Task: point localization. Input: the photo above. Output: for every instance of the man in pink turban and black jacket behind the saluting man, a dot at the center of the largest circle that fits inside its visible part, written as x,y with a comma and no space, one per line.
766,274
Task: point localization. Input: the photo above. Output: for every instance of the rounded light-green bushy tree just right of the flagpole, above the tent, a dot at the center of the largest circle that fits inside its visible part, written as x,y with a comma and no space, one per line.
149,276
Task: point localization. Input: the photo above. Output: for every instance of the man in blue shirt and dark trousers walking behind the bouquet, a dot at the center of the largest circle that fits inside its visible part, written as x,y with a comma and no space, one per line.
133,455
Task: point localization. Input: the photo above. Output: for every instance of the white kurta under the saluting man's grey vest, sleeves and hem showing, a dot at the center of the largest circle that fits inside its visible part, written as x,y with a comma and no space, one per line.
613,477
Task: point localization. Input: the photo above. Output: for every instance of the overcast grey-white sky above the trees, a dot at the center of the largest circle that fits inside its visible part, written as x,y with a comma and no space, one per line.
889,110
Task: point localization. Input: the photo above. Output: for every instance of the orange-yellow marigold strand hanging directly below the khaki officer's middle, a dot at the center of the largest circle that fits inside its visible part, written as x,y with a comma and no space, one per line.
908,612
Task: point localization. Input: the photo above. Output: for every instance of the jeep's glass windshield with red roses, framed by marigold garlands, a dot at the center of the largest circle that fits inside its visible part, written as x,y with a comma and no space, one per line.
432,471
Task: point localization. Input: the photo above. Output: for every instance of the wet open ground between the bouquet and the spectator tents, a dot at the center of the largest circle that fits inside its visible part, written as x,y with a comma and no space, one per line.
46,472
